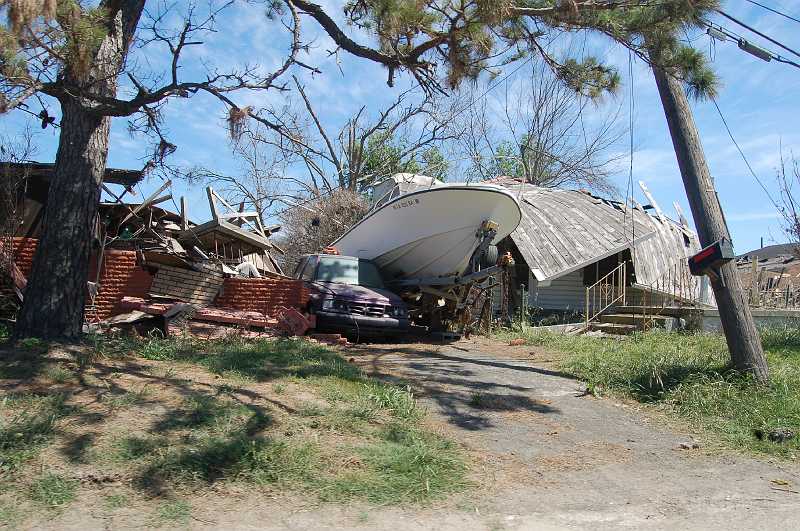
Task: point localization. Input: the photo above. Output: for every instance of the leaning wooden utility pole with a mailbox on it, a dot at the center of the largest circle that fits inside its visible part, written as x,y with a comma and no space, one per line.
734,311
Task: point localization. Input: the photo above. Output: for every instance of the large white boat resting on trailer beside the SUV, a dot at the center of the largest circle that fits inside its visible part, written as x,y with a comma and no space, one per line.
421,228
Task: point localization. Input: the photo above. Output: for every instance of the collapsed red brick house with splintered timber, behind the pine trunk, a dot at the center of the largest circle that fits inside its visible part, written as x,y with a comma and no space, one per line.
150,260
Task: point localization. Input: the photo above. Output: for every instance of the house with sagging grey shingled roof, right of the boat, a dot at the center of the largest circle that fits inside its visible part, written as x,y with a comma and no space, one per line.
569,240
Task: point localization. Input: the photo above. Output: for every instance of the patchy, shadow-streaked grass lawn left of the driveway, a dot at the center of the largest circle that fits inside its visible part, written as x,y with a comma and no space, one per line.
304,420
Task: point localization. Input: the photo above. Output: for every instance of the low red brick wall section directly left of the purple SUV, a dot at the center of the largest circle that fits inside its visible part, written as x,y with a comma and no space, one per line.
264,295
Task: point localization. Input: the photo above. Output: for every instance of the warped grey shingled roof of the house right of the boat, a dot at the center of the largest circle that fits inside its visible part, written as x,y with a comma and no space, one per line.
565,230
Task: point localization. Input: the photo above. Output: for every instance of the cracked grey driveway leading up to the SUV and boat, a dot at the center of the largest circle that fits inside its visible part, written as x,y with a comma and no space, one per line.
554,459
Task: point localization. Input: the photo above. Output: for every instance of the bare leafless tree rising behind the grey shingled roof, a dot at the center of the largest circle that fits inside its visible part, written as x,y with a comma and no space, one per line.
536,131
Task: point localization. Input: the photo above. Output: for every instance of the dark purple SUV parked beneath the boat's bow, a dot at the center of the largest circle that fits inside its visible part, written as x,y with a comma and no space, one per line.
348,296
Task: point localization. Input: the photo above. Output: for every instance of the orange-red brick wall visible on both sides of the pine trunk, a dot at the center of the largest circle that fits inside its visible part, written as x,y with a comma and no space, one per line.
120,276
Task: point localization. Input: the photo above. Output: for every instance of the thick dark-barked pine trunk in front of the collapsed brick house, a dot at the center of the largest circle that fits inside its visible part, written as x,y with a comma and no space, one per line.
55,298
